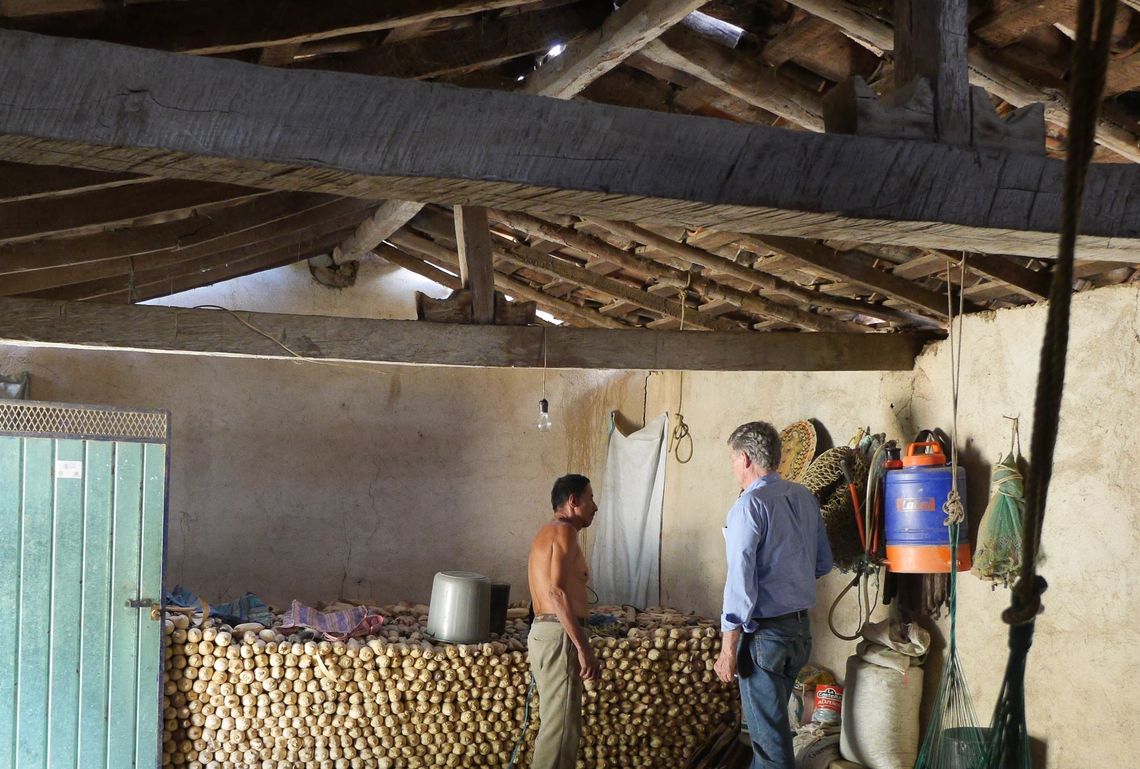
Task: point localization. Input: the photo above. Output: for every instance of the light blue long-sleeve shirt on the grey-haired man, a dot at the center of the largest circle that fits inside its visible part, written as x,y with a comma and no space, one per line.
777,549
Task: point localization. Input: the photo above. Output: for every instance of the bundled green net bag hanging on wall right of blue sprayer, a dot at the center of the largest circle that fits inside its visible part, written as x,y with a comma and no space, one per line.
998,558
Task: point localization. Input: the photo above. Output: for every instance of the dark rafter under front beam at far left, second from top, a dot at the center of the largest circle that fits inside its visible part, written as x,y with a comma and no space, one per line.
84,211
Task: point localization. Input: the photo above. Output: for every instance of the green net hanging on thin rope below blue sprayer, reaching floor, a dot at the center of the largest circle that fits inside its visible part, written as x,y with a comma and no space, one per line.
954,740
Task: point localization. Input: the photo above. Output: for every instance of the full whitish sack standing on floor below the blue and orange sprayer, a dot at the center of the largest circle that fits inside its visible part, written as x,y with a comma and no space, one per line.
884,692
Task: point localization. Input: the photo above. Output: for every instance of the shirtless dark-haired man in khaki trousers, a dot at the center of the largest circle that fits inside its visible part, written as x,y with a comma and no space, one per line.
558,648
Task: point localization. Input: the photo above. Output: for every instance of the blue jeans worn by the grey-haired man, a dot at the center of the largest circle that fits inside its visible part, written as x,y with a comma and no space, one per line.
769,661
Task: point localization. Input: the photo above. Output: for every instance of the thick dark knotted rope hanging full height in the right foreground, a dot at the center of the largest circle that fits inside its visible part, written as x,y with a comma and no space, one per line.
1008,747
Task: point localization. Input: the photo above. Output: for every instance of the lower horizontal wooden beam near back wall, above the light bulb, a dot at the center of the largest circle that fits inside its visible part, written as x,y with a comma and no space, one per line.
213,332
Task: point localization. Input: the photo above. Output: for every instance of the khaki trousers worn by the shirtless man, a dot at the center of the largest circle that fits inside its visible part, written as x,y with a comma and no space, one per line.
555,666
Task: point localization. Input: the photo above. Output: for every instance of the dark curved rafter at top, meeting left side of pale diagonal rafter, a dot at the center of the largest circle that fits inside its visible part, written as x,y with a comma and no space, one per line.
459,52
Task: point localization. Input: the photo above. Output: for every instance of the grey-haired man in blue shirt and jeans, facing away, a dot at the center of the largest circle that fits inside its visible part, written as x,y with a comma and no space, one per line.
777,549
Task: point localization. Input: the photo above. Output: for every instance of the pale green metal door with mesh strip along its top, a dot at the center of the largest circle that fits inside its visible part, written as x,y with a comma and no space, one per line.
83,535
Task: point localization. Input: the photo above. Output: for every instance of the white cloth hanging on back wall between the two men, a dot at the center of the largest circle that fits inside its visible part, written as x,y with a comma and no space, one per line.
626,558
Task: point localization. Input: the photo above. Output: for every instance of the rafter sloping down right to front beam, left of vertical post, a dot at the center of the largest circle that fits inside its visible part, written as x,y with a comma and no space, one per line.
738,75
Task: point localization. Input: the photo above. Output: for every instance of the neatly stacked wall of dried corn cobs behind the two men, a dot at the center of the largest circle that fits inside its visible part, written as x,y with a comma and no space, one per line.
251,698
